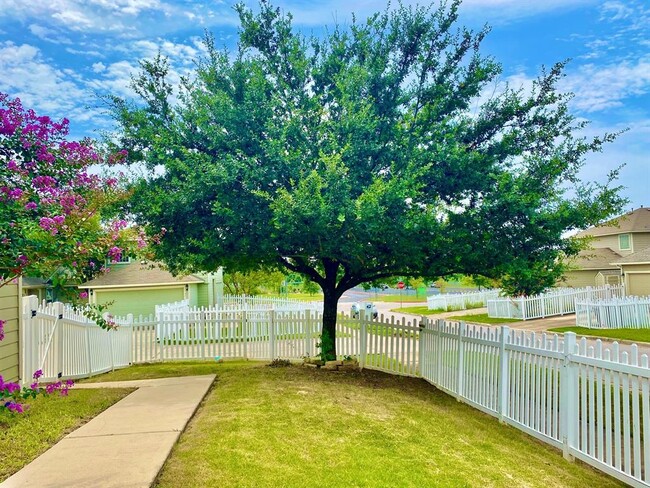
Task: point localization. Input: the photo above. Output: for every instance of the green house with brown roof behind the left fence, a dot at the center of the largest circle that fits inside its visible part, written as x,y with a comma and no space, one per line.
137,287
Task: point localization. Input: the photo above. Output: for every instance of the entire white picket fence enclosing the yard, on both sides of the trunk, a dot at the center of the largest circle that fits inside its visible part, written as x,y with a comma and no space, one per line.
590,401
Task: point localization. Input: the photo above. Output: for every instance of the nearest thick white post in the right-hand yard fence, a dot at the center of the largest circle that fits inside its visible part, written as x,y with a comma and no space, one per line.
568,397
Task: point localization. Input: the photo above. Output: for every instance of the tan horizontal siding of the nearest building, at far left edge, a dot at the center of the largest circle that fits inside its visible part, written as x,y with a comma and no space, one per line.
10,346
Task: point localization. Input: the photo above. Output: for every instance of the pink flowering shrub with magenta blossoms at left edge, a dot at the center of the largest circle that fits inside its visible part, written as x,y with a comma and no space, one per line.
50,203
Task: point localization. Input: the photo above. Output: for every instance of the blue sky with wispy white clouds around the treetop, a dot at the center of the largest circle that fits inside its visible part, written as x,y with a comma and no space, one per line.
57,55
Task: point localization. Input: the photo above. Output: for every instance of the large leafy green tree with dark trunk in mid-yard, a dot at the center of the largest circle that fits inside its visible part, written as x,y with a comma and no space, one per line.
359,155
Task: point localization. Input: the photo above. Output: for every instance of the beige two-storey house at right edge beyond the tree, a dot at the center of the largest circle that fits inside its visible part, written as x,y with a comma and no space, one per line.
617,247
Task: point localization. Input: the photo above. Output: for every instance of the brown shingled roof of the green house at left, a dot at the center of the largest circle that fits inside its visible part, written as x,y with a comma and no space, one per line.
138,274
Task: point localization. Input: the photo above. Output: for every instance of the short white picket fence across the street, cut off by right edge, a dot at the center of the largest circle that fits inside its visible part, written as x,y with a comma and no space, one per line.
617,313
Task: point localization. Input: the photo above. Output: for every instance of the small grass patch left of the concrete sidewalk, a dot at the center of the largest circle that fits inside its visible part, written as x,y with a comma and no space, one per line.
24,437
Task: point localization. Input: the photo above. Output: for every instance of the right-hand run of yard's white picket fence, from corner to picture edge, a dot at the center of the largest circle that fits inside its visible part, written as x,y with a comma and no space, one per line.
589,401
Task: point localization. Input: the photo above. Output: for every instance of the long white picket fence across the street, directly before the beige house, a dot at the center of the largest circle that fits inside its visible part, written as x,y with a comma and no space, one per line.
557,301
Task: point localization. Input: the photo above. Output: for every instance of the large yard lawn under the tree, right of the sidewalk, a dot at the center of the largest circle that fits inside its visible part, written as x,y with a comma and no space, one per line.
299,426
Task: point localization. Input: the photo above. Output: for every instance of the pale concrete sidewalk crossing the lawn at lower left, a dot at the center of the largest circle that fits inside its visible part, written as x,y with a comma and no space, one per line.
124,446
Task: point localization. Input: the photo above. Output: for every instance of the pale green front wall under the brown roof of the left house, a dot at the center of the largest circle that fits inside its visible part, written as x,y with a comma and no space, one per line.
138,301
